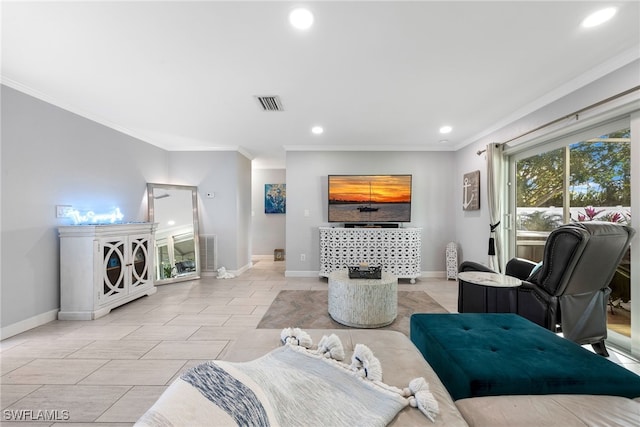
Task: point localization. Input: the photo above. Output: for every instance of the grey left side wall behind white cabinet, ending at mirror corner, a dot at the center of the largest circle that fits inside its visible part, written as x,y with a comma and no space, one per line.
52,157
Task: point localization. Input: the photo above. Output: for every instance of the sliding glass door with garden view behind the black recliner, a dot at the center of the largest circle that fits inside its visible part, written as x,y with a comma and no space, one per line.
586,177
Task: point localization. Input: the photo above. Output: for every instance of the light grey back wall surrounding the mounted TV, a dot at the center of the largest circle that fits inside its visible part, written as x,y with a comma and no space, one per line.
432,200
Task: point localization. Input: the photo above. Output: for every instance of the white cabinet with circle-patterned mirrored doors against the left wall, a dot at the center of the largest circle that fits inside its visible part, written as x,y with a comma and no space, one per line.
103,267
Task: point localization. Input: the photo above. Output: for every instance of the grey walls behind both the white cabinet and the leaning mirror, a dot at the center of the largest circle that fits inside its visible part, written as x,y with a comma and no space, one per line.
53,157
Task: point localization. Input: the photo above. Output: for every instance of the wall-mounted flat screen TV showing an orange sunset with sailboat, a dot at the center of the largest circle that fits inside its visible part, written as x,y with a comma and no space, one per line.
369,198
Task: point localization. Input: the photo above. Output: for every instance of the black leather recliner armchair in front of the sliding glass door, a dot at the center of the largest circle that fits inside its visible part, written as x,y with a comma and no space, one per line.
570,290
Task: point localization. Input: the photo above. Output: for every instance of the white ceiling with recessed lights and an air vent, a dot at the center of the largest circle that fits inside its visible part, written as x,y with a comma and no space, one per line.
376,75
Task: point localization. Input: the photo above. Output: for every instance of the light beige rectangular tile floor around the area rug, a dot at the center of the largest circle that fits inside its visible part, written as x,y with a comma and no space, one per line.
109,371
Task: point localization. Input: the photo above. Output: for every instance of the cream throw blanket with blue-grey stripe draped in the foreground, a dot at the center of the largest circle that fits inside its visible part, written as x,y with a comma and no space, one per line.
290,386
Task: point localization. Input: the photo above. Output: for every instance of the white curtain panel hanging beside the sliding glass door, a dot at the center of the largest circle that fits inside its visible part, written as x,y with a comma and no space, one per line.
496,190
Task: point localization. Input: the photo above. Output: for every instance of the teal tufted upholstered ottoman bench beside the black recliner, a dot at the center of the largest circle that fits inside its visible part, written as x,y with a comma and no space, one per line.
505,354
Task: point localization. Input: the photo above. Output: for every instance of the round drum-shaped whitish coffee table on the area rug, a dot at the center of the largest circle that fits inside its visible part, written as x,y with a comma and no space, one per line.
363,303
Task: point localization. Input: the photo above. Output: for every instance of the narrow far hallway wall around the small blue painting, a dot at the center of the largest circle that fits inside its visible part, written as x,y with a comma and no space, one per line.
268,230
